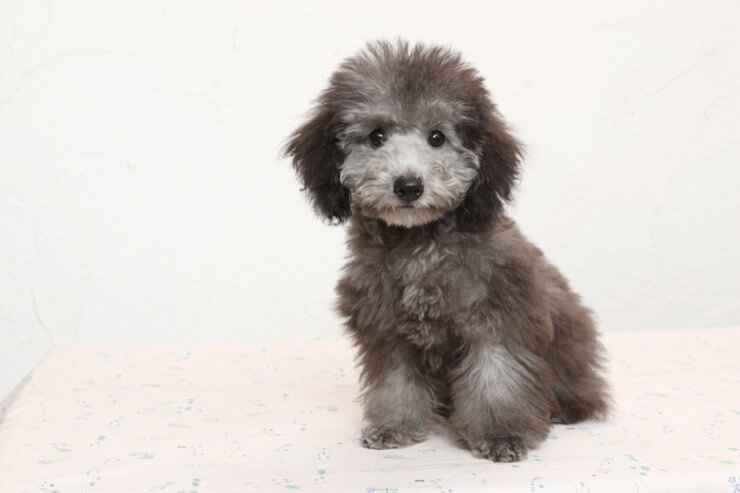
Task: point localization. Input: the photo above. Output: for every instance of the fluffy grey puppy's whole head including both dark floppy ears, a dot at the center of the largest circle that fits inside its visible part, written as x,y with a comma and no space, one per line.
406,135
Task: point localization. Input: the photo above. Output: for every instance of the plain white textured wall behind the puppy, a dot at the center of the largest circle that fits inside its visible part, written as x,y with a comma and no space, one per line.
143,199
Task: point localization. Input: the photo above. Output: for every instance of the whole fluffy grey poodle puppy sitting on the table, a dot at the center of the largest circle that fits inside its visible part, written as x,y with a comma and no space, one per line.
455,313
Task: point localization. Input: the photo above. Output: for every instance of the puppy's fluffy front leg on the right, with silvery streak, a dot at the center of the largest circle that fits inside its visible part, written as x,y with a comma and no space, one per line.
501,401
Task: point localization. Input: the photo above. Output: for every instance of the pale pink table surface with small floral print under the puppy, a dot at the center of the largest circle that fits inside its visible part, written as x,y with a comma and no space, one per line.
285,416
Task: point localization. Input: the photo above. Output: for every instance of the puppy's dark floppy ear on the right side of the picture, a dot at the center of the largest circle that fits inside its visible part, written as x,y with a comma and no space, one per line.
499,156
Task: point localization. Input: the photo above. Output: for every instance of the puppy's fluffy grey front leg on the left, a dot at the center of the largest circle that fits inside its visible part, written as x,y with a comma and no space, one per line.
399,405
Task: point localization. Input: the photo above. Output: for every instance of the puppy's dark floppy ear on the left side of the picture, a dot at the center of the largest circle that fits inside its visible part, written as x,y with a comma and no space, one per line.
316,158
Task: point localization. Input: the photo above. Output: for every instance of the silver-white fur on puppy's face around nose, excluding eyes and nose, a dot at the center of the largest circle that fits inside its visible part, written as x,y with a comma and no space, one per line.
446,173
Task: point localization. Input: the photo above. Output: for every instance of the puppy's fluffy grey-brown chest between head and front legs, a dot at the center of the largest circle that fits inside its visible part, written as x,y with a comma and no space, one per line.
423,291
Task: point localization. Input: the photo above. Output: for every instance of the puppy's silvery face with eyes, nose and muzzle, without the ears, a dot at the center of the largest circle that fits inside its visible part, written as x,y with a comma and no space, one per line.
406,164
